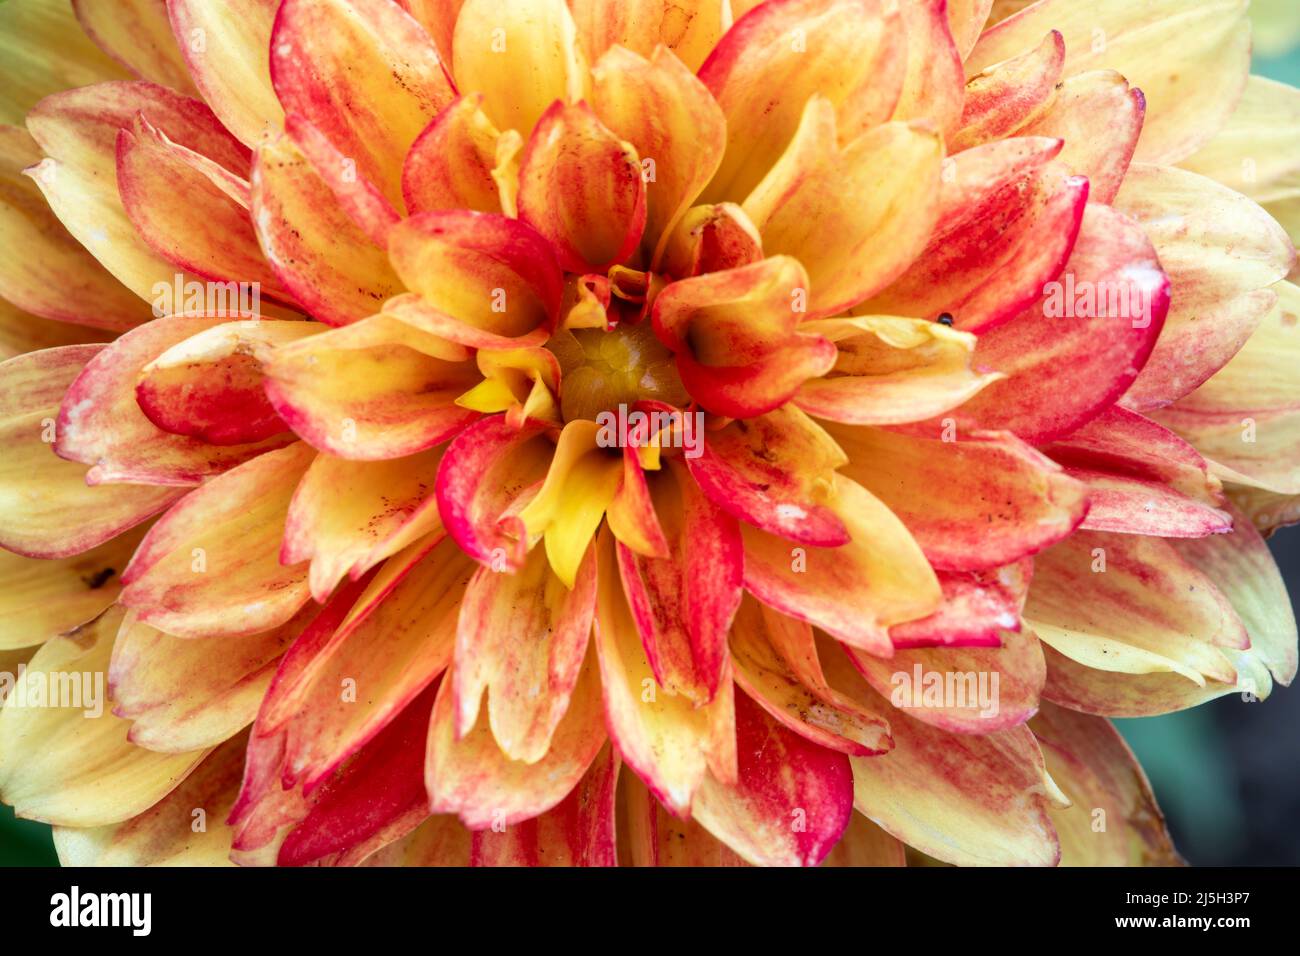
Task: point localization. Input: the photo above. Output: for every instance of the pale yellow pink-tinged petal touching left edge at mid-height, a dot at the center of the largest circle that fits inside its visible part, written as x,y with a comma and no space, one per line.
47,511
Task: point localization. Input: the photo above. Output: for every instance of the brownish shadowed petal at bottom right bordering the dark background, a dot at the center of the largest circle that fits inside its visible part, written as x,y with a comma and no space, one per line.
1095,768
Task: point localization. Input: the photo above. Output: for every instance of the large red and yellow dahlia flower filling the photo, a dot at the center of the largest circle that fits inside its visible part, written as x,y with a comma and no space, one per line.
629,431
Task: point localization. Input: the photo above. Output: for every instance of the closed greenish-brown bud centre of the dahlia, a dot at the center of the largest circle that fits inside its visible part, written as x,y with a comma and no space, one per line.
604,370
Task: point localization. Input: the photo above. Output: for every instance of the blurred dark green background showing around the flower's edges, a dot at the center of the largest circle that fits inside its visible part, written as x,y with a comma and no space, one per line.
1228,775
